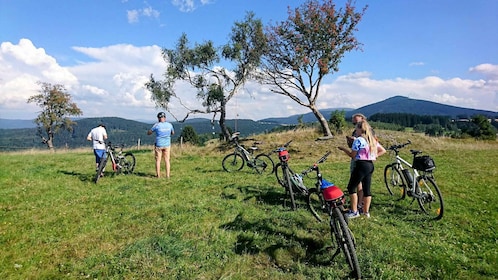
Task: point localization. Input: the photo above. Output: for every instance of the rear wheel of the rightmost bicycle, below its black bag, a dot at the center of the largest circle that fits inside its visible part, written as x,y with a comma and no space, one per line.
430,200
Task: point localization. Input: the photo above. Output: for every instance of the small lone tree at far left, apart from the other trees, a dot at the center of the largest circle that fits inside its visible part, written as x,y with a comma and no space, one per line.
56,108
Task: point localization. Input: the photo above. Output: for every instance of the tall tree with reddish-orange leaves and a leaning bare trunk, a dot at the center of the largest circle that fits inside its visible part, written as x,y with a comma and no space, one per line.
306,47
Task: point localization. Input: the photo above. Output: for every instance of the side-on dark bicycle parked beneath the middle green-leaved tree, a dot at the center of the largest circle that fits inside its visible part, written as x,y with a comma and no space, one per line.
235,161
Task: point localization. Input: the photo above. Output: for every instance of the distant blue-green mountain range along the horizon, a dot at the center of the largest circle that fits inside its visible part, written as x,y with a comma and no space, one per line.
16,134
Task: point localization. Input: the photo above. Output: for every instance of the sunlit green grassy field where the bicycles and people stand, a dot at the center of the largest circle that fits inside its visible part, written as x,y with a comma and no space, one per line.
204,223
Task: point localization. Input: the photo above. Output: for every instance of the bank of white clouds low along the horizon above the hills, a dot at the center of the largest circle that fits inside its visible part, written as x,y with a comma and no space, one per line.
112,84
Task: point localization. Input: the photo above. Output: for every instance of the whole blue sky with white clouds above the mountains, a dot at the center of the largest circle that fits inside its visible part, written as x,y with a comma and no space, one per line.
104,51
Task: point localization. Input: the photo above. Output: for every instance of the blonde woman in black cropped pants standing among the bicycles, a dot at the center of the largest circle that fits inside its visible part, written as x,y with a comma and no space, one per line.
365,150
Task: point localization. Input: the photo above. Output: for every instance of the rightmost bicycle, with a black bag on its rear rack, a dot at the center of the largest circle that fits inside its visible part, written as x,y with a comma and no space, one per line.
402,182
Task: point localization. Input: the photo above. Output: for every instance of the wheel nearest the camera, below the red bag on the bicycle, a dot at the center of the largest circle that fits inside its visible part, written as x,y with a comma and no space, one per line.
345,240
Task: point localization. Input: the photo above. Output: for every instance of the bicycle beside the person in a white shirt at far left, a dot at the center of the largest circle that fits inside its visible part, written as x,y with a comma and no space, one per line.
121,163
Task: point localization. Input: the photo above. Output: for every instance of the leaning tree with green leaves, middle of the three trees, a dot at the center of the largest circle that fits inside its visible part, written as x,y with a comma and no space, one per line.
215,85
